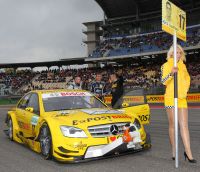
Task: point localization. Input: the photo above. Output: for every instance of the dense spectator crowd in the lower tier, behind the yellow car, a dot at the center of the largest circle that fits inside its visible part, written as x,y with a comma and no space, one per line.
146,75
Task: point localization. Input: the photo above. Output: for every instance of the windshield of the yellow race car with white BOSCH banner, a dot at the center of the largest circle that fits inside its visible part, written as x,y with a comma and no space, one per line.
70,100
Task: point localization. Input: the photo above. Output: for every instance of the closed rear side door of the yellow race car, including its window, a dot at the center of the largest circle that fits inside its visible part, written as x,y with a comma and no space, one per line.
21,113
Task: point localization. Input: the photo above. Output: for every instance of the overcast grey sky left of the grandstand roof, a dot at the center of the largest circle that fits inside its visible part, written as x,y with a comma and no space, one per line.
42,30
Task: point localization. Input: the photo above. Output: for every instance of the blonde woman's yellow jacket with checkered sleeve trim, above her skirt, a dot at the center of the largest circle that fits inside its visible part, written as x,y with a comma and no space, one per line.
168,80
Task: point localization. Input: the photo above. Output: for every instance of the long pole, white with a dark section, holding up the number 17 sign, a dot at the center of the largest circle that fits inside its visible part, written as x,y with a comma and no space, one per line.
175,100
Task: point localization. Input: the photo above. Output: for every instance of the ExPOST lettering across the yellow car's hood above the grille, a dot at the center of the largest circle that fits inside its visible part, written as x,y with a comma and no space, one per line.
76,122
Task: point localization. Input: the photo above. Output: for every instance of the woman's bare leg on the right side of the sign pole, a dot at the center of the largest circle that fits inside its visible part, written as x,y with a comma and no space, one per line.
183,124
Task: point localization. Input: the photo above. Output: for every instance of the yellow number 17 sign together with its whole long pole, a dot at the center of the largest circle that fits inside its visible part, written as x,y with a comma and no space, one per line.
174,23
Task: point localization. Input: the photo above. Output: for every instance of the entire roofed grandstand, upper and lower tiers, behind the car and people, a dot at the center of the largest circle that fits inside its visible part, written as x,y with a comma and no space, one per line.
129,39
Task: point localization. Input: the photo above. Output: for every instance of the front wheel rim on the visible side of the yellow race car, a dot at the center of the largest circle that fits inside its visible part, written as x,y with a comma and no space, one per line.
45,141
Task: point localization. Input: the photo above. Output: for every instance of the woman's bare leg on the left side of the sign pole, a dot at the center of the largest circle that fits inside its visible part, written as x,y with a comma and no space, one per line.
170,114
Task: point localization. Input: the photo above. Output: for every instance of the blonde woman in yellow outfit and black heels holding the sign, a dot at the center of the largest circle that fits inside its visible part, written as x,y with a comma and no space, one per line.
167,79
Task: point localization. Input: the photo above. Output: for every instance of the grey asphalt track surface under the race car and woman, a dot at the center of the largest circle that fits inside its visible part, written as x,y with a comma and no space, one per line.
17,158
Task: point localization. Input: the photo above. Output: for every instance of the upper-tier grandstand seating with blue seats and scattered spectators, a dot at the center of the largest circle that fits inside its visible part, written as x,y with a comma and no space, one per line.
151,42
